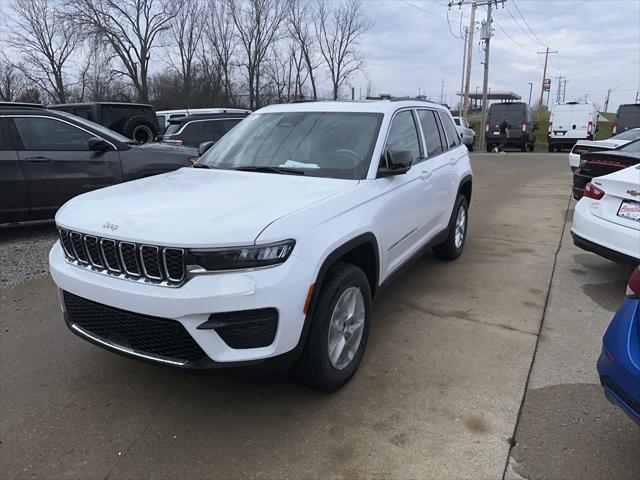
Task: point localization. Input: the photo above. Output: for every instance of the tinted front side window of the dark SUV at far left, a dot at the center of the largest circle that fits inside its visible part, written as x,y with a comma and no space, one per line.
39,133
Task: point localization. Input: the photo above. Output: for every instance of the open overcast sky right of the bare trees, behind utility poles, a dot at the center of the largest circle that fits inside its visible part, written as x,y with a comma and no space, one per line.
410,47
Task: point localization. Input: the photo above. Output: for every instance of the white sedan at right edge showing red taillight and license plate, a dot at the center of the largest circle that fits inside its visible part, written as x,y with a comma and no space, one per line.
606,220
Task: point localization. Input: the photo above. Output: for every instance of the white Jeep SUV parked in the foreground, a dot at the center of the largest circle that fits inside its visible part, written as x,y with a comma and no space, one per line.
267,254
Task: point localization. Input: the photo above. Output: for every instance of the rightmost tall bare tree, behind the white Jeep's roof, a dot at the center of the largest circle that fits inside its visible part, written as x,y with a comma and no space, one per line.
337,32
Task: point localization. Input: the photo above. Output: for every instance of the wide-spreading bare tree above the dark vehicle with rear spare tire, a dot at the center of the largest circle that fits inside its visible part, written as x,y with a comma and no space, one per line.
131,28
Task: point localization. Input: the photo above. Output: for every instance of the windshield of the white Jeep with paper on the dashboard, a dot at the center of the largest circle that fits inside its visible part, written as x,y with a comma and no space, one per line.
321,144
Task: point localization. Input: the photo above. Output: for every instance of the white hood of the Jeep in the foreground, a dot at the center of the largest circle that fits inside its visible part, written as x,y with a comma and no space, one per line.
195,207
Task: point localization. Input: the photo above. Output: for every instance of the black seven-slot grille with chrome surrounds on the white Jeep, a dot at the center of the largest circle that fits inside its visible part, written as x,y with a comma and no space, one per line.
144,263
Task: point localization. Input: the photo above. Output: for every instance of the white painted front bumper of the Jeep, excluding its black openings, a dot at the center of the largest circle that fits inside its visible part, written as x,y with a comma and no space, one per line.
283,288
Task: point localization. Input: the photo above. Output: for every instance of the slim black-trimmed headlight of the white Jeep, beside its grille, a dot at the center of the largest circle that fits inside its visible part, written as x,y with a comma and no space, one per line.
239,258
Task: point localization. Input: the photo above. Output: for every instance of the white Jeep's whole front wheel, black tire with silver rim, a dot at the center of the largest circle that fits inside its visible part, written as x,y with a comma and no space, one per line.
340,326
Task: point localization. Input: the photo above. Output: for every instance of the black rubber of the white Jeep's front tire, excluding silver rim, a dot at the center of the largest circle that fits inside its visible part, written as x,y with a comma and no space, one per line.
314,367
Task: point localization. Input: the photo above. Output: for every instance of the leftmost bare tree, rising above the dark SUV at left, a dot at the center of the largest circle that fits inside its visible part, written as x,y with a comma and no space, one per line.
44,42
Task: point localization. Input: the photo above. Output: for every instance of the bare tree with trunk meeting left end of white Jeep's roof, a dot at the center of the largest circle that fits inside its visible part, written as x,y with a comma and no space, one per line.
258,26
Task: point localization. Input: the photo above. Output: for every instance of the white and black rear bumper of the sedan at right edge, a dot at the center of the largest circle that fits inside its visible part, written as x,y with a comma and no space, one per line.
607,239
